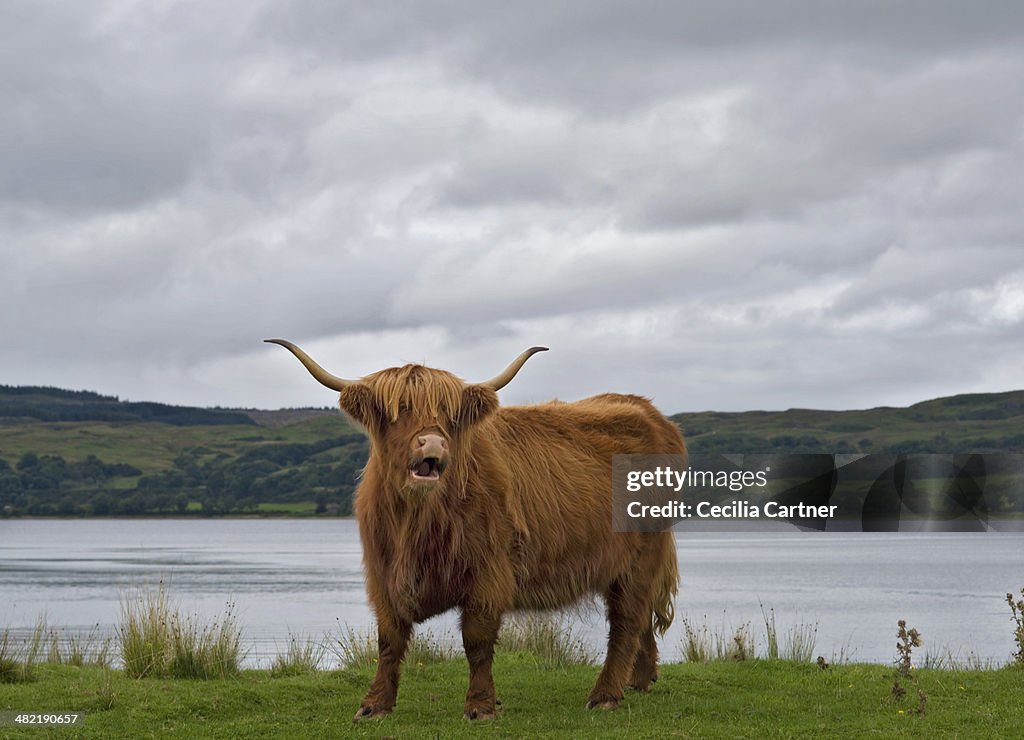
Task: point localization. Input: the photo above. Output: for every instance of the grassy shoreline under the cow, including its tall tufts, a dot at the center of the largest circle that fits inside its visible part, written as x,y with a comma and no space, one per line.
739,695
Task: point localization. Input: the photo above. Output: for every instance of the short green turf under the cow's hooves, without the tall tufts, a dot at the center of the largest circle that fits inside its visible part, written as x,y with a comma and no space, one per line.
754,699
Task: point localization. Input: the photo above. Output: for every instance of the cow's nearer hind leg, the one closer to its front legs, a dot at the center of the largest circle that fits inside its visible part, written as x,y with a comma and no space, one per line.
629,616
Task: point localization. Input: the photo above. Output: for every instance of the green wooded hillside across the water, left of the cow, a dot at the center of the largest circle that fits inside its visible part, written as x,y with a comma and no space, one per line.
76,454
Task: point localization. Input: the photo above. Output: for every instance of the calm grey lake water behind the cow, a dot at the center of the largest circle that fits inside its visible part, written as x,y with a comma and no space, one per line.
304,578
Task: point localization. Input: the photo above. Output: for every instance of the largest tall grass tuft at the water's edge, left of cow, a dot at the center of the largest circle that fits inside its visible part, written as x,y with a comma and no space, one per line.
158,641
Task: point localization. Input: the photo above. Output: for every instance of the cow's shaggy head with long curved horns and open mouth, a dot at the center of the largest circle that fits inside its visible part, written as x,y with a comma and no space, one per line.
419,419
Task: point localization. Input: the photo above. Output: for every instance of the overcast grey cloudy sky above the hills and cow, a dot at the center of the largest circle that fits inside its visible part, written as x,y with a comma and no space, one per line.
723,205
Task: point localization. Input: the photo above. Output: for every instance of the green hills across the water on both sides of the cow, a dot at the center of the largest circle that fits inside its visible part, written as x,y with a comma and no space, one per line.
79,454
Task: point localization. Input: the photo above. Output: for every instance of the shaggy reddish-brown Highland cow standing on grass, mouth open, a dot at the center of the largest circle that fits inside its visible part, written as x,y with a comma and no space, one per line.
471,506
